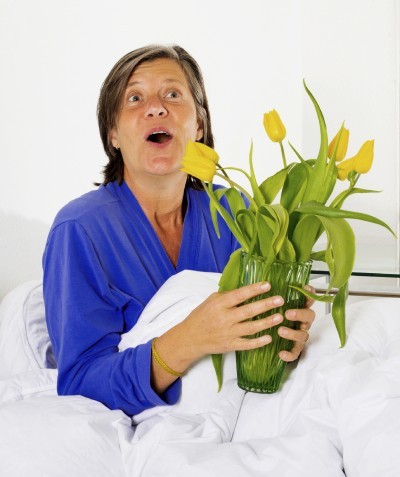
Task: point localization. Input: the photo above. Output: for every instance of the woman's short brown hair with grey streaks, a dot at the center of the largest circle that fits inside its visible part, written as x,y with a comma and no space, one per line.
114,86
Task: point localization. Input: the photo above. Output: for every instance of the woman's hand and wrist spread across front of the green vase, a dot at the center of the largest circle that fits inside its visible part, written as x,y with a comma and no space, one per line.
217,325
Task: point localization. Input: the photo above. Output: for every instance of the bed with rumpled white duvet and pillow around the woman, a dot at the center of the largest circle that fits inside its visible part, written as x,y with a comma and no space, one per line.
337,413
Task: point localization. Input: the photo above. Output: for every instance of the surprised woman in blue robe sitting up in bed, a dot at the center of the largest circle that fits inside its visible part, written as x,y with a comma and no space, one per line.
109,251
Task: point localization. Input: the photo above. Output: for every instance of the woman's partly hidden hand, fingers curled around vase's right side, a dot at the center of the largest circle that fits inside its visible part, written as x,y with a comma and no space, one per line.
306,317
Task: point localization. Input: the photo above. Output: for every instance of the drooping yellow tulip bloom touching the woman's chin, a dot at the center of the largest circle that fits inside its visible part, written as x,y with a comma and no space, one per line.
200,161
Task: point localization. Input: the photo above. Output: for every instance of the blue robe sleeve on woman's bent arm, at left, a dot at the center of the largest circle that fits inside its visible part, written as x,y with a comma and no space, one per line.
85,319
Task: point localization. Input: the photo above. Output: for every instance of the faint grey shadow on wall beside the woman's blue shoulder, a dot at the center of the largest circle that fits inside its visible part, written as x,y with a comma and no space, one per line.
22,243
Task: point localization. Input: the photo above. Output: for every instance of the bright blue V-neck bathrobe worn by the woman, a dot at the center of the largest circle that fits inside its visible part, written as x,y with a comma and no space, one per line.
102,264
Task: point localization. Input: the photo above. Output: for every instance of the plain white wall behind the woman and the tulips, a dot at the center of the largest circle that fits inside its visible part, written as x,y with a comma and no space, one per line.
54,56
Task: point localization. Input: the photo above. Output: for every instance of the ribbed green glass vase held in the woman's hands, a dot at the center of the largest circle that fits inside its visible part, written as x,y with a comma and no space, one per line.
261,370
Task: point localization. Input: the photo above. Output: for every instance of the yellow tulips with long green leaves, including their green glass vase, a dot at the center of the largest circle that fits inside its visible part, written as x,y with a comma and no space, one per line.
277,223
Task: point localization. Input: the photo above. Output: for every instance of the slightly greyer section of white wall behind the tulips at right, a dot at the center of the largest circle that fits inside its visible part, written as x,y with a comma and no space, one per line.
351,57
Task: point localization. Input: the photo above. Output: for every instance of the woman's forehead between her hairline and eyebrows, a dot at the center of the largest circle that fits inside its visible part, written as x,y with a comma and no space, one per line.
160,69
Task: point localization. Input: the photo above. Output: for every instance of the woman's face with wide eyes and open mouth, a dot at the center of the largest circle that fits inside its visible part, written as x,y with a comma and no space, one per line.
156,121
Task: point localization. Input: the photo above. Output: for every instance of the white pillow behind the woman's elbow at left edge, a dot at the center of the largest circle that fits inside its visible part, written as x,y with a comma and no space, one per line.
24,339
